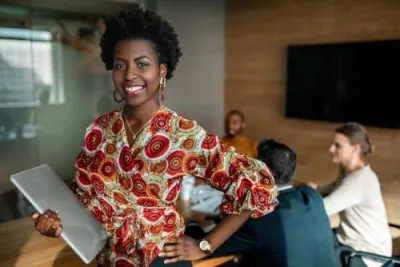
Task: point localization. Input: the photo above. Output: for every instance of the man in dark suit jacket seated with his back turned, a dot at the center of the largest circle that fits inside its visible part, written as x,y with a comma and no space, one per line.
296,234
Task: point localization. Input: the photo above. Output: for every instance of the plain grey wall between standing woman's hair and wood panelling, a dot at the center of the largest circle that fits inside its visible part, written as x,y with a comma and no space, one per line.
197,88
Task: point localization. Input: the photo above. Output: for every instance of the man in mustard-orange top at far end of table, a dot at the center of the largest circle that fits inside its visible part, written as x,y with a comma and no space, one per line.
235,123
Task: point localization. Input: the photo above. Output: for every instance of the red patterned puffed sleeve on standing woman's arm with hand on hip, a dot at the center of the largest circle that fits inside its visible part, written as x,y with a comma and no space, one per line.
246,182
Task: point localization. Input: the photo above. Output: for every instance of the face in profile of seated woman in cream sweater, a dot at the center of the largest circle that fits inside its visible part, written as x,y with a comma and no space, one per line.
341,150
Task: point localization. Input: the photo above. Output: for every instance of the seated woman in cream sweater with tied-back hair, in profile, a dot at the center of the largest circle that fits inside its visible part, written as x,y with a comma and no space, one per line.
356,195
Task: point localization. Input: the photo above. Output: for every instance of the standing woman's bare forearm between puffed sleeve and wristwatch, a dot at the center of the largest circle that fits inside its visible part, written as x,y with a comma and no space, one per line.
227,226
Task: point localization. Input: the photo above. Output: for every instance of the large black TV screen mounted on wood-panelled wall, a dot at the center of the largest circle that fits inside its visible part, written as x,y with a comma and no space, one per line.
345,82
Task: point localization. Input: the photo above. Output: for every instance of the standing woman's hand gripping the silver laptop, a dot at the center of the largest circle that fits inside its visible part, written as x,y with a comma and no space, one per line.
48,223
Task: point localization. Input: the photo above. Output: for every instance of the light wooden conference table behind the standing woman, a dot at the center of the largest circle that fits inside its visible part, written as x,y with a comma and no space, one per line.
22,246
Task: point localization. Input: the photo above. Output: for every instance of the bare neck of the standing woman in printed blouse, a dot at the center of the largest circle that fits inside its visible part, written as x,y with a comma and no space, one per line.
141,114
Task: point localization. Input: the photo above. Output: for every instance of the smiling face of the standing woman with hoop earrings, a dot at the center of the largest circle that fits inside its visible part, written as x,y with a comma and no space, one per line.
136,71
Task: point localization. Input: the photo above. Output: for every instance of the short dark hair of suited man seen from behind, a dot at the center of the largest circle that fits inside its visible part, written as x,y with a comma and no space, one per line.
279,158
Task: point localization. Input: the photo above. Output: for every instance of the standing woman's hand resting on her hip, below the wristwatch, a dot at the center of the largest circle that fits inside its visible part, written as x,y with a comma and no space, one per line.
185,249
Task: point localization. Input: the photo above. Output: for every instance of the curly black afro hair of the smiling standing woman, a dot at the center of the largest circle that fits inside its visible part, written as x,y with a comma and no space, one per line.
137,23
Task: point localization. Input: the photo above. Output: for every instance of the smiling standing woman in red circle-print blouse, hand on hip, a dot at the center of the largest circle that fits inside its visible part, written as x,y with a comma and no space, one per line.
130,169
